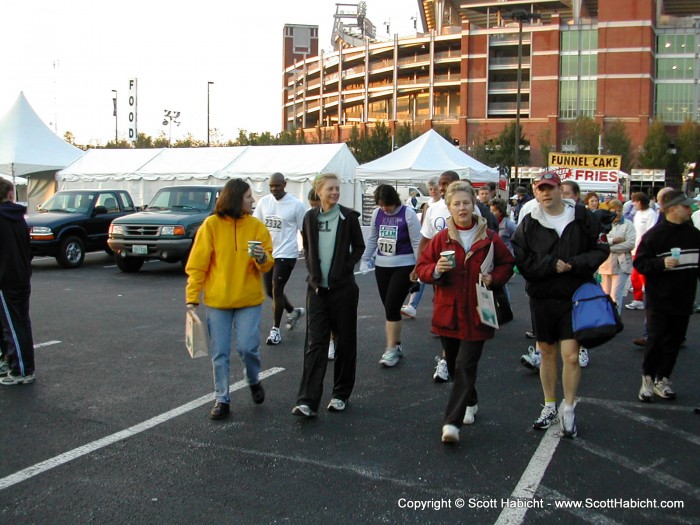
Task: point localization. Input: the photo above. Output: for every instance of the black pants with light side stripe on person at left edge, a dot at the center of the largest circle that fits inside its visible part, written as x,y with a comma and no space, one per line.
18,344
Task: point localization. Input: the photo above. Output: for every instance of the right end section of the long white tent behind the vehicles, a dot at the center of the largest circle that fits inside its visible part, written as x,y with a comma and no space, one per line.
300,164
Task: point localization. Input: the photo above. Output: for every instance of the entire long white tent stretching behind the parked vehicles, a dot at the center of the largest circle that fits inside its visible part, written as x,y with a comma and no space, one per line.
143,171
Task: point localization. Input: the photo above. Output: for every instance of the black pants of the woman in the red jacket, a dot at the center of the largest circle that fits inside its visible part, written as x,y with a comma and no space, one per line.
462,362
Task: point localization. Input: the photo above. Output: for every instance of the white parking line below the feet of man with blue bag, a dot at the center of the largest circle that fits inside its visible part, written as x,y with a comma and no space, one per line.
531,478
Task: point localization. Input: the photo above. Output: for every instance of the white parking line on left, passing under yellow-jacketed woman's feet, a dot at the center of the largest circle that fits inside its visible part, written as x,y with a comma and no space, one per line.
61,459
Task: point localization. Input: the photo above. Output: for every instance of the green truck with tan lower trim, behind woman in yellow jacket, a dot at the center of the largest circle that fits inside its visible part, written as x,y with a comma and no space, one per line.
165,230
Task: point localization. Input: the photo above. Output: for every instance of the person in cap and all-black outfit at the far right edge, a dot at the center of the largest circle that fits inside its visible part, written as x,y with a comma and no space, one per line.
667,256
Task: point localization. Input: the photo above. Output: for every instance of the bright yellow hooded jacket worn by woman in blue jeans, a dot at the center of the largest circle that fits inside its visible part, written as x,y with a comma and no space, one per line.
219,263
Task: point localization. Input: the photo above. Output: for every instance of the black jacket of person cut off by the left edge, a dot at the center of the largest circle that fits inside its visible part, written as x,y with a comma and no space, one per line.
15,260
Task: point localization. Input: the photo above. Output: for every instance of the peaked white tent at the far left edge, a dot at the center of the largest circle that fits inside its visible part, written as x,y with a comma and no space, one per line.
29,147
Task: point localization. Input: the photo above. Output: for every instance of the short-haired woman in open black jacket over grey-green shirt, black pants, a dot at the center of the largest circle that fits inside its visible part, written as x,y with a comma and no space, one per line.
333,244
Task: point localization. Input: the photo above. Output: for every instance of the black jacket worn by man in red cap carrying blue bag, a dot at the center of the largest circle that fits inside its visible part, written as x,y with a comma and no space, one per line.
537,249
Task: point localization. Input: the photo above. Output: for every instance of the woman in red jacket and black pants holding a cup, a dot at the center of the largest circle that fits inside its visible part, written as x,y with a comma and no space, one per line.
455,317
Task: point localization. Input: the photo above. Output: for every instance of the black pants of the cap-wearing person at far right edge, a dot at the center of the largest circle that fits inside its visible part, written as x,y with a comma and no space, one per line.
665,333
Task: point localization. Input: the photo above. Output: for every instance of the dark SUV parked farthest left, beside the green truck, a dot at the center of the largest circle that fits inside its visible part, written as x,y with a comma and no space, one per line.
73,222
